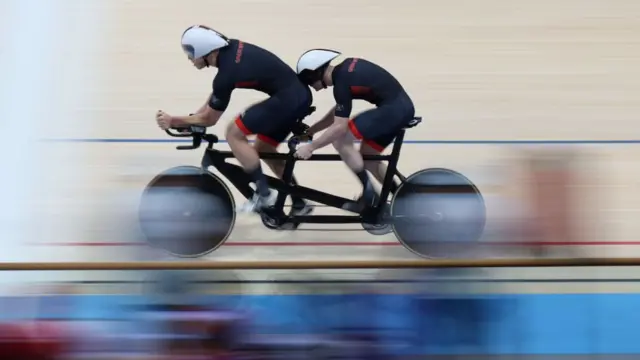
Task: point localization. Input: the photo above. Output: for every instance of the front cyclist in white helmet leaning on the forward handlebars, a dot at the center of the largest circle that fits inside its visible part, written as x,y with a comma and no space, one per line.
245,66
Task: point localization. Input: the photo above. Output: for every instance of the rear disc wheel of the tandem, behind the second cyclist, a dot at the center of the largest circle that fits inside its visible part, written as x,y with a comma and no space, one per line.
438,213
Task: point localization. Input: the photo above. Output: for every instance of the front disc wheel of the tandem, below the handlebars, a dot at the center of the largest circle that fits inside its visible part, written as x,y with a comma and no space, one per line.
187,212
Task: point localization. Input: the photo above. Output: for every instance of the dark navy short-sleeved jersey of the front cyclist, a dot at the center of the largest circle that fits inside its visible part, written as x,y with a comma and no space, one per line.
246,66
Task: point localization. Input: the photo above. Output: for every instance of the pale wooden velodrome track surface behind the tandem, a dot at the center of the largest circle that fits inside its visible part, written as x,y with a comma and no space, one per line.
500,71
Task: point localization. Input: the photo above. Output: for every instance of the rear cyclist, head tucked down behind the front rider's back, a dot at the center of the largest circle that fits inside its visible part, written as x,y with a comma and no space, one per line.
352,79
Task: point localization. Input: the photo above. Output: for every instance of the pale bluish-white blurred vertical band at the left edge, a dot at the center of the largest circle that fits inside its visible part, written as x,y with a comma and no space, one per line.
45,77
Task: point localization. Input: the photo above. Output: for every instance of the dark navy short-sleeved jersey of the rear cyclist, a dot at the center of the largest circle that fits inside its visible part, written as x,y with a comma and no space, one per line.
359,79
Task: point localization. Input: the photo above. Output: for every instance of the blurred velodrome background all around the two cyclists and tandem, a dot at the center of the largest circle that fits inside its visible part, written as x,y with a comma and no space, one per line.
535,101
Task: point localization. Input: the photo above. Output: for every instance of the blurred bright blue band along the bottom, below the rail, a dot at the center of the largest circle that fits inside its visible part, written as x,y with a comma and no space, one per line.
413,324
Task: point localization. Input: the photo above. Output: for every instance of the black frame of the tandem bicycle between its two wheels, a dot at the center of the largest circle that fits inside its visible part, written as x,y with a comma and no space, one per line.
241,180
